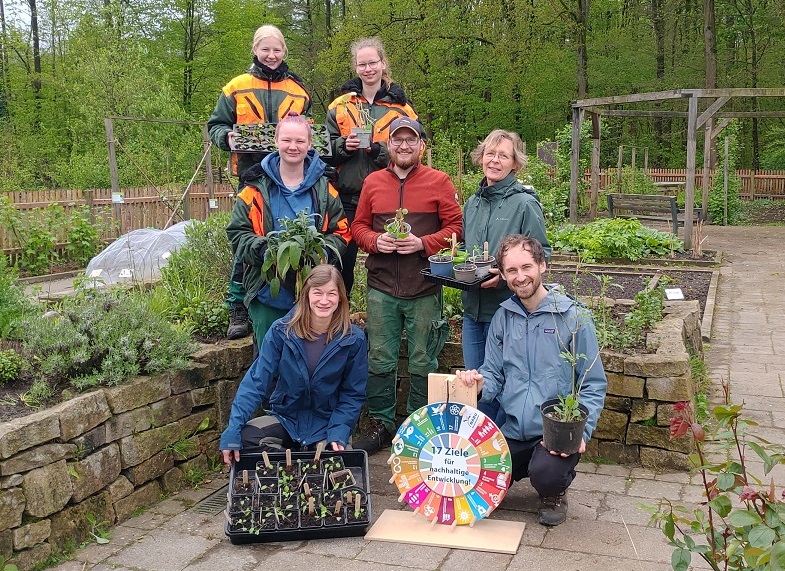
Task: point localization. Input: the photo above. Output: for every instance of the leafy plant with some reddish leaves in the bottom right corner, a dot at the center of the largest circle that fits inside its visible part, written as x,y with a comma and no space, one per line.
741,523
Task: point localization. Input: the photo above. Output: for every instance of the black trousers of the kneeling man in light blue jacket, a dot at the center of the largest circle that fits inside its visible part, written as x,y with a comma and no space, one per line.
550,475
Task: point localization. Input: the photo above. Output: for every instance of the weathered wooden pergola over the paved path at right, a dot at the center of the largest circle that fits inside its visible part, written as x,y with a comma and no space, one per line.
703,107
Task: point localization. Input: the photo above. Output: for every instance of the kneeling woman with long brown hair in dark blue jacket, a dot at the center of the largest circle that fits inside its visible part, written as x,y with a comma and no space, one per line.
319,360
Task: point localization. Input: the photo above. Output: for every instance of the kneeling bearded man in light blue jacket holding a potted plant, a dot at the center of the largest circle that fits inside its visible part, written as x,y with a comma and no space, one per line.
525,366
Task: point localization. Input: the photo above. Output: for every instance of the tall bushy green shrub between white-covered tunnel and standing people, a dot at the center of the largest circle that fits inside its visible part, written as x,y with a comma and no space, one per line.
193,283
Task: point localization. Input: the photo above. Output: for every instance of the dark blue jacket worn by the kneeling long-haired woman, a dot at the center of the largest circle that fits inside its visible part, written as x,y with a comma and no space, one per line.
323,407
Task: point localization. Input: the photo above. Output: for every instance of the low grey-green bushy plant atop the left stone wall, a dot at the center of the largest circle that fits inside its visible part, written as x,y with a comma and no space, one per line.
100,340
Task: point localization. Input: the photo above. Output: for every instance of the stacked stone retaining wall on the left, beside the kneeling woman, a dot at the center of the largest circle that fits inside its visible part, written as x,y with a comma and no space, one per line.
111,452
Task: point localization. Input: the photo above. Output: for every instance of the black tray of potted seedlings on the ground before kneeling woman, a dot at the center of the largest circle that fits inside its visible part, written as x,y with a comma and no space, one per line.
284,496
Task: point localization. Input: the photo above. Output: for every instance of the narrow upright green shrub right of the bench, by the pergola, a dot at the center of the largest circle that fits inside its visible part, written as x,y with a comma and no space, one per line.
717,198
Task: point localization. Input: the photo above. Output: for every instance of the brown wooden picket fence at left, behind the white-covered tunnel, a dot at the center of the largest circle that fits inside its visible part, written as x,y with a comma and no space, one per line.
134,208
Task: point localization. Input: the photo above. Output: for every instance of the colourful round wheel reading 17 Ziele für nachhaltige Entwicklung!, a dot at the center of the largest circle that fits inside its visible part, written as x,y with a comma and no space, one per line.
451,463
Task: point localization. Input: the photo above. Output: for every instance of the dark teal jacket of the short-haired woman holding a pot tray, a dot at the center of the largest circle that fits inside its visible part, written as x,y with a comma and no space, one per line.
491,214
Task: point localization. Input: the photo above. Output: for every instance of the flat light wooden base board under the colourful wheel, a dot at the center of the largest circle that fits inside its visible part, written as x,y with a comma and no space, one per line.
487,535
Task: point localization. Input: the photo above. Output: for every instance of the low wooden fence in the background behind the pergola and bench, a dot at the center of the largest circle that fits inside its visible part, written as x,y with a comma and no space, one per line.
754,184
